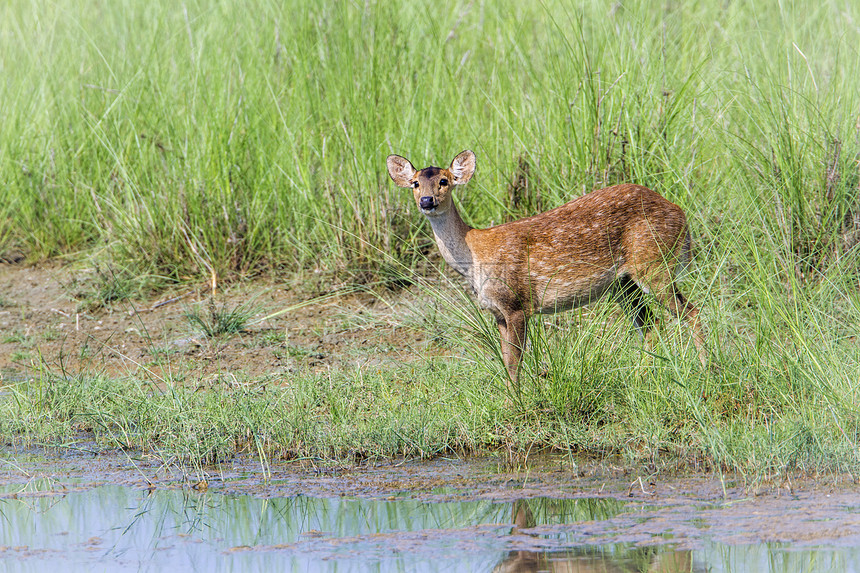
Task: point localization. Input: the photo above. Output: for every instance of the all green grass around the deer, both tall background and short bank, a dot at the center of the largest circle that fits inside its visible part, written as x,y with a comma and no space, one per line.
211,141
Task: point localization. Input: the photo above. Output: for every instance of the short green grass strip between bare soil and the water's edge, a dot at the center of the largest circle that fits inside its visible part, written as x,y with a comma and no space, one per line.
758,418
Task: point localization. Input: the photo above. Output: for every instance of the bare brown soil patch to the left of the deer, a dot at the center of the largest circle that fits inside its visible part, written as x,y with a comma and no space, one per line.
50,317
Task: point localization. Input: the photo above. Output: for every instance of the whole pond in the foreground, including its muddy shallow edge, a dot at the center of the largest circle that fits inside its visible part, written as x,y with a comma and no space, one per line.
237,523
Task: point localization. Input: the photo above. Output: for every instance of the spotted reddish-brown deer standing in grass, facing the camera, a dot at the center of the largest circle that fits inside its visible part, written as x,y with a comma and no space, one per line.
626,242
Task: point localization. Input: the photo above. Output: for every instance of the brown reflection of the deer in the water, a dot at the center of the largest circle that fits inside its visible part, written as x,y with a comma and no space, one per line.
588,560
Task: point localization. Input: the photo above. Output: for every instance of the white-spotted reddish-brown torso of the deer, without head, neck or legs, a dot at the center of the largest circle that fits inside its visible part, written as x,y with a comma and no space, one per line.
570,255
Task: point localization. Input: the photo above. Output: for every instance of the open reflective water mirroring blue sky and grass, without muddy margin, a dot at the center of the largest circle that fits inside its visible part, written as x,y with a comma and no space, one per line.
45,524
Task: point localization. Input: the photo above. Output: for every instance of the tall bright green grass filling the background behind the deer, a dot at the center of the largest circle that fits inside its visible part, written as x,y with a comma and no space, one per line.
252,136
